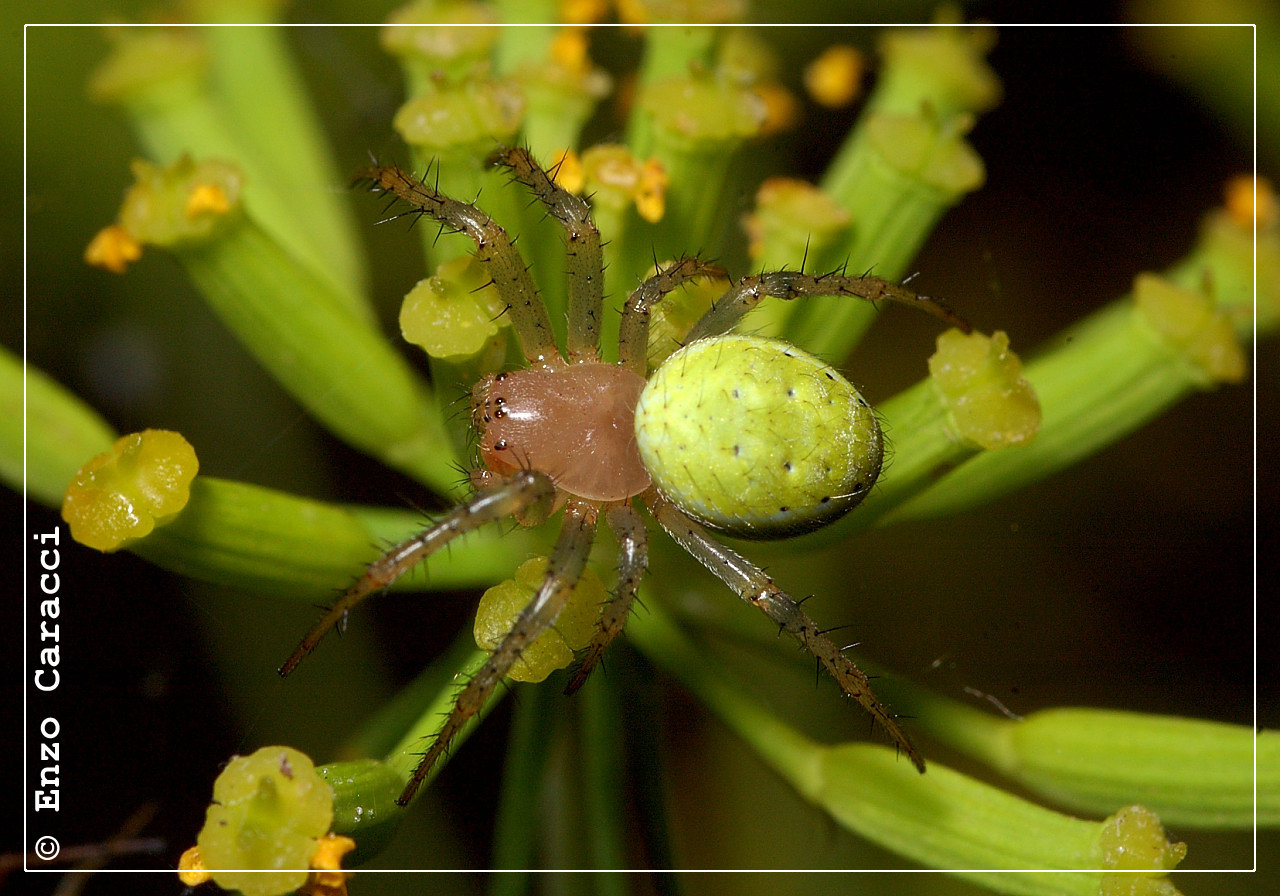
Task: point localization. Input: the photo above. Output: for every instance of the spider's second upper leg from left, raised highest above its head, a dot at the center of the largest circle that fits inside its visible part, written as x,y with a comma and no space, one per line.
583,246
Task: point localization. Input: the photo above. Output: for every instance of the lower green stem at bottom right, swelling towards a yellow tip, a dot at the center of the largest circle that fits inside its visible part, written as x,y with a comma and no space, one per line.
943,819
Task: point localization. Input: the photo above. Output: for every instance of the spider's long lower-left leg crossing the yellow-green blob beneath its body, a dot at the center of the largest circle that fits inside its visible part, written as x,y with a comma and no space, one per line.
564,569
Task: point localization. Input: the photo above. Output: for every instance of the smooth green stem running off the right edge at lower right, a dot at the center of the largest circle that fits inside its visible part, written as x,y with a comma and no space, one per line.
1190,772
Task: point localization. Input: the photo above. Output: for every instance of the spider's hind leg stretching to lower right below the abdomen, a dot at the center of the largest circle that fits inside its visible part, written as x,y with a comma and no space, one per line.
755,586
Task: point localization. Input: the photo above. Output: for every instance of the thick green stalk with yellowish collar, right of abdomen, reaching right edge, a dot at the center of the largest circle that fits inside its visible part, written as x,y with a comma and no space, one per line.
1130,363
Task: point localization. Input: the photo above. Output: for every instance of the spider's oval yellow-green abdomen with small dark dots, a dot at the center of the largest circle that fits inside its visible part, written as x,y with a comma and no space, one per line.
756,438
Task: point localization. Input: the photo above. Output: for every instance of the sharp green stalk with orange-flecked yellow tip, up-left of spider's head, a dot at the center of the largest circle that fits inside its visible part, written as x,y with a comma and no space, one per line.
296,324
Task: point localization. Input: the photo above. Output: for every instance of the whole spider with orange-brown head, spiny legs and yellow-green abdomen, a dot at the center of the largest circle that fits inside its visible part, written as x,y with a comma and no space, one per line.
593,438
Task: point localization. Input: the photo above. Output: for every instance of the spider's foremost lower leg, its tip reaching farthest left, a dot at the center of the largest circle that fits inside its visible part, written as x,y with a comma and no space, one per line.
524,493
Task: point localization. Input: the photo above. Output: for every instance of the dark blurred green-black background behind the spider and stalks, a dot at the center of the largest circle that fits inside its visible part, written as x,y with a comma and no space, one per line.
1127,582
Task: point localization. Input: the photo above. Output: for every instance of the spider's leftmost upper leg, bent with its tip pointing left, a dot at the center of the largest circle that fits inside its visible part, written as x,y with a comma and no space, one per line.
495,250
